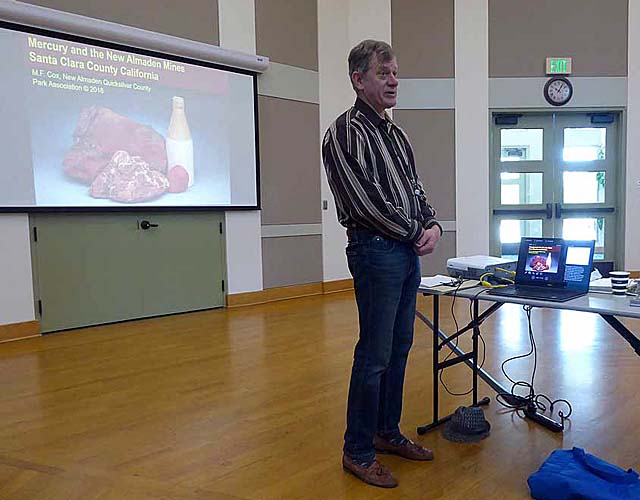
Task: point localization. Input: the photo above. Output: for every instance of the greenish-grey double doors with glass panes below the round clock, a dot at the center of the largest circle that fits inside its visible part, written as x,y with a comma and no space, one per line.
555,175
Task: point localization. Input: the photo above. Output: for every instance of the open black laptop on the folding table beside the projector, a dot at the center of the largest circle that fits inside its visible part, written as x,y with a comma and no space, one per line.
551,269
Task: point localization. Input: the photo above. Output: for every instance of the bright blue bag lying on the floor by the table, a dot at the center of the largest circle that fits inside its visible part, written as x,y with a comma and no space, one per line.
576,475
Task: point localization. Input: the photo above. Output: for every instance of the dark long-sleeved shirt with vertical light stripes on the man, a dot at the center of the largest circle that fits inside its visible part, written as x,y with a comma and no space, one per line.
372,174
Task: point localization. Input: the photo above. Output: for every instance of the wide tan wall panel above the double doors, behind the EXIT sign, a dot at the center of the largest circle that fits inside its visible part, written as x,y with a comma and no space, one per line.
522,33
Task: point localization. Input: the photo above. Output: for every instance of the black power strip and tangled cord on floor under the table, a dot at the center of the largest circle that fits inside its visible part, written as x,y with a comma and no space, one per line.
532,404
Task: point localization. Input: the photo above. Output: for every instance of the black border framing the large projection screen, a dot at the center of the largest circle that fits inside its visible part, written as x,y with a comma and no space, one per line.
22,28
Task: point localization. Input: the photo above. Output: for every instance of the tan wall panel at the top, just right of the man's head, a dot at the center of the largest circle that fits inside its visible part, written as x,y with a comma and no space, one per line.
422,35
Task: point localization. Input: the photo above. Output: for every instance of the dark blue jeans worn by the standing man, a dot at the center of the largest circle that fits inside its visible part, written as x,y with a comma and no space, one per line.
386,275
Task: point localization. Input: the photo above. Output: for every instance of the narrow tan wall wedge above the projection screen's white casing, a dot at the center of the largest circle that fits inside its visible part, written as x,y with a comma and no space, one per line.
191,19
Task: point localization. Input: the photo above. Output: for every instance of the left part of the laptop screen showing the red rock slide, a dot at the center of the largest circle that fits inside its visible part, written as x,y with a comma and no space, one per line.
540,262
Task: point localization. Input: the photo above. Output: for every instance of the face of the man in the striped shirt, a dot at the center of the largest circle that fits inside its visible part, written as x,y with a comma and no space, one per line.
379,84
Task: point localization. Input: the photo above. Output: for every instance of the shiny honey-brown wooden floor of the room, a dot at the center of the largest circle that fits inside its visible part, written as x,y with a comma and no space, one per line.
249,403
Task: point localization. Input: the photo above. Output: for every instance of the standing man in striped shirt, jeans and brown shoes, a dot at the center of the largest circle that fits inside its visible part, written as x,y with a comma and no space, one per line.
382,203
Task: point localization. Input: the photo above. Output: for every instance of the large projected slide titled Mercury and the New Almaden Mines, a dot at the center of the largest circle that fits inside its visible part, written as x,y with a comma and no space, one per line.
85,126
